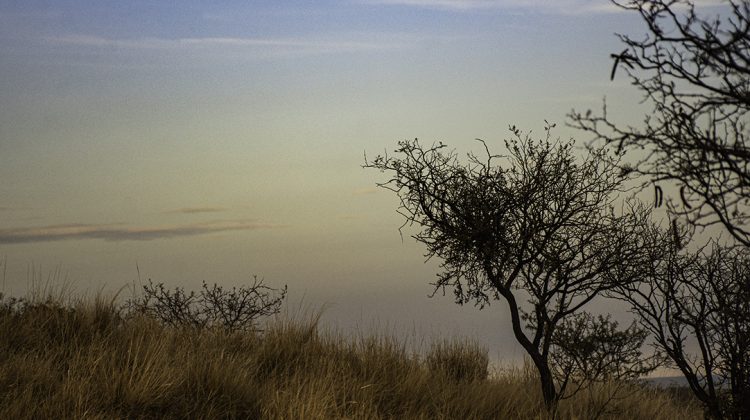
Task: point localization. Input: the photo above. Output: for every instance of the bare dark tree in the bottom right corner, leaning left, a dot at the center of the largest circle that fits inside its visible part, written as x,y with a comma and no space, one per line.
696,304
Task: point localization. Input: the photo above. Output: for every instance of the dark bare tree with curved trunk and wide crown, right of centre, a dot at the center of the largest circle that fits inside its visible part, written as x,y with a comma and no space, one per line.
540,232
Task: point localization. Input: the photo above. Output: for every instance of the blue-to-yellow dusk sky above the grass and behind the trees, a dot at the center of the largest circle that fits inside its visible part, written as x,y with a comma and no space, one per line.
211,141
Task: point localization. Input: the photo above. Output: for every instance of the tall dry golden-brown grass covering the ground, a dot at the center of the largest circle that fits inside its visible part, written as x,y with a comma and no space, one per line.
83,360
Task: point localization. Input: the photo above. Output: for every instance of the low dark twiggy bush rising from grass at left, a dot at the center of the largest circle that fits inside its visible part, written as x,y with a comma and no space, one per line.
231,310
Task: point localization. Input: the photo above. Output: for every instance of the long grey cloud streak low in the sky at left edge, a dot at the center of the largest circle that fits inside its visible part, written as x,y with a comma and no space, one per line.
120,232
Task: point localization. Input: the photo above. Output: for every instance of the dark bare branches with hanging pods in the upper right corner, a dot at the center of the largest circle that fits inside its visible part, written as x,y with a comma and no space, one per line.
695,72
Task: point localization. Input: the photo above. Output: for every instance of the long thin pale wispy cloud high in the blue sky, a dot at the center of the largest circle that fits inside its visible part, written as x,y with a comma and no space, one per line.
262,45
